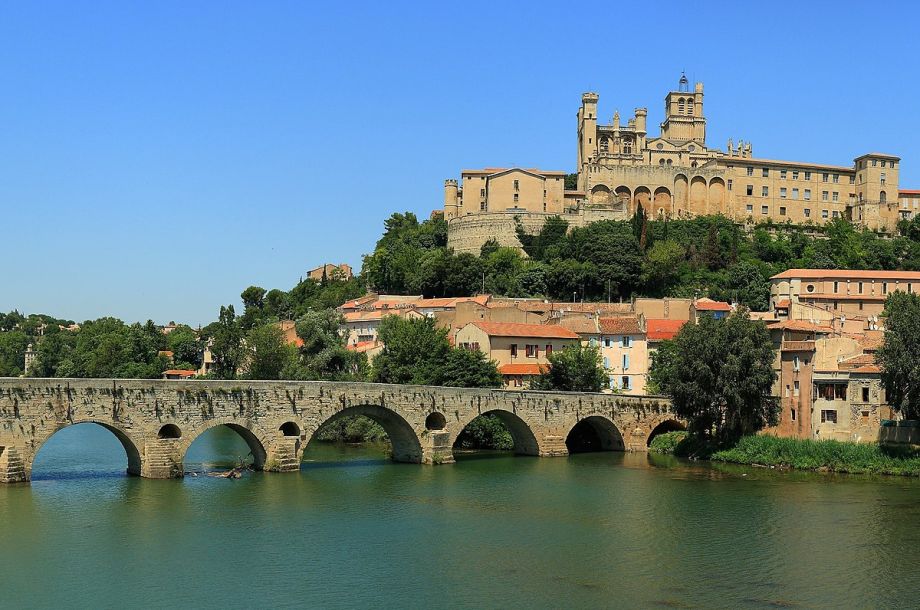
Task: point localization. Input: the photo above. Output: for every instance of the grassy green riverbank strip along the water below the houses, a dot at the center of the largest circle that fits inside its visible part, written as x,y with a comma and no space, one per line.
800,454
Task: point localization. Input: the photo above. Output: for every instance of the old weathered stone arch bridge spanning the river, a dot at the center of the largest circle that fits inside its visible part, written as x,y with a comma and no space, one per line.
157,420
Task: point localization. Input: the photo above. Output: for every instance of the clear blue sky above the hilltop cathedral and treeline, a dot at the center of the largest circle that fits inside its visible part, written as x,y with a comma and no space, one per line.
157,158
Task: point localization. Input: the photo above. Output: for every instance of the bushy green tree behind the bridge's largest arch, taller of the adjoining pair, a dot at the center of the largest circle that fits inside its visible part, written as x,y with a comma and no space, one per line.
414,351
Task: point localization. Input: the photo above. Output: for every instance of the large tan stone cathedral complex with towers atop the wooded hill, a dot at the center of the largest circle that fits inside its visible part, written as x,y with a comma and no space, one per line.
674,174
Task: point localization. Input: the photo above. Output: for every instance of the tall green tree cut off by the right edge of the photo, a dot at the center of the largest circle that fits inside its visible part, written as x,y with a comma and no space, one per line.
899,356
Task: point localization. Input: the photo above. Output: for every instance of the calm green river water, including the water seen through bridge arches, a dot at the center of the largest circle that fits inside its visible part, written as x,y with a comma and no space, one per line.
354,530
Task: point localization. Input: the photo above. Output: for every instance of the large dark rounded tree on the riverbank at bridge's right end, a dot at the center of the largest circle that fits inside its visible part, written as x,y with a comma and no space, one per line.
720,376
